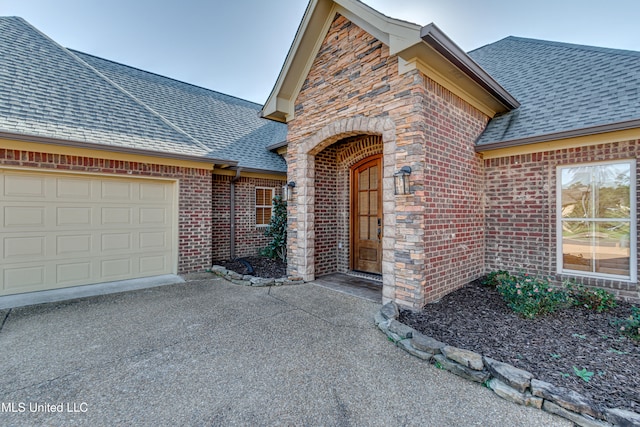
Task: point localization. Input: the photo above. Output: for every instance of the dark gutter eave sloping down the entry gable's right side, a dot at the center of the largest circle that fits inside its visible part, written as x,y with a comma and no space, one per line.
439,41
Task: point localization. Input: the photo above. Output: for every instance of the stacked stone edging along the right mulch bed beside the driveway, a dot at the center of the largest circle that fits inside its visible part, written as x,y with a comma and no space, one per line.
510,383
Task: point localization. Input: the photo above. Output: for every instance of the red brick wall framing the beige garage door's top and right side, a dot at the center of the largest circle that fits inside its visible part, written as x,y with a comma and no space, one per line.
194,206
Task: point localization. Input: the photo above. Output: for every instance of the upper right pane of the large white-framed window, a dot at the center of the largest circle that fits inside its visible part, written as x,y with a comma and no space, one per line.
612,191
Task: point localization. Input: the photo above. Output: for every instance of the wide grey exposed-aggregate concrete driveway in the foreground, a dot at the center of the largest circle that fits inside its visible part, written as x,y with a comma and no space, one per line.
208,352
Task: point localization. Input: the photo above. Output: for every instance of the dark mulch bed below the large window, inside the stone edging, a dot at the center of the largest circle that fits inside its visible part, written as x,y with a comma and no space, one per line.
476,318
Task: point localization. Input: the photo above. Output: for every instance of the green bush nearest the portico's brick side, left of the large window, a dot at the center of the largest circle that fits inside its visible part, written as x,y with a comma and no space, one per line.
530,296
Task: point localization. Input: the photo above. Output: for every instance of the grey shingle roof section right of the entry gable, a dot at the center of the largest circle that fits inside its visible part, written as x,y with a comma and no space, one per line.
561,87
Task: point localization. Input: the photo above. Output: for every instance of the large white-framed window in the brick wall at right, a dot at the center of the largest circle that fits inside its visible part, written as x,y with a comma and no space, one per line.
597,220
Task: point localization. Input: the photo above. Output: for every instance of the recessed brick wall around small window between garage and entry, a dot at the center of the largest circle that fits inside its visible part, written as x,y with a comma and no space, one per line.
249,237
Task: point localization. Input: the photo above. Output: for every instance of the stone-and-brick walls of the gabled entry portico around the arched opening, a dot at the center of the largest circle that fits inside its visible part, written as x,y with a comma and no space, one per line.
353,88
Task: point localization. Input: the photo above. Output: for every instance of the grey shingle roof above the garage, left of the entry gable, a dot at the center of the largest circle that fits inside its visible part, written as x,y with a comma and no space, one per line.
47,90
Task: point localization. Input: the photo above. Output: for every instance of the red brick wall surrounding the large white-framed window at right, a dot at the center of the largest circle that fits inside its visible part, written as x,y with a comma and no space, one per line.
521,211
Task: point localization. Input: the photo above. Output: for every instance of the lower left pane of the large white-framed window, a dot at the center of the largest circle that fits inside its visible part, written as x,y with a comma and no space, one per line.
576,245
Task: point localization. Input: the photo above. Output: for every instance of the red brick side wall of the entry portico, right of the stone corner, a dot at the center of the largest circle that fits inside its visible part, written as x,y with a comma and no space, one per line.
453,186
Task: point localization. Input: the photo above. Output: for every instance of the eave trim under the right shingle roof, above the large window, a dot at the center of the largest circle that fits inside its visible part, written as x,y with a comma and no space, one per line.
573,133
